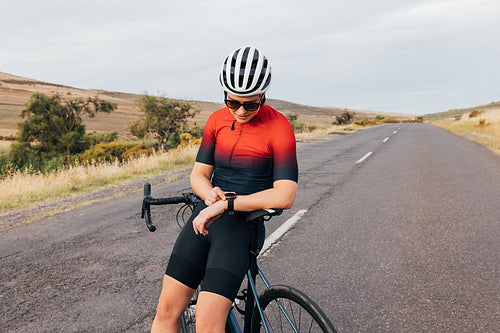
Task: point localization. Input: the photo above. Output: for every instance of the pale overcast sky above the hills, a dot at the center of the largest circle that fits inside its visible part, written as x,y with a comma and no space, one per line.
401,56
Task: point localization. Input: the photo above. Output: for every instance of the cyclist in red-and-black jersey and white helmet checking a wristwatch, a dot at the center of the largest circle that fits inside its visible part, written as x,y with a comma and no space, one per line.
246,161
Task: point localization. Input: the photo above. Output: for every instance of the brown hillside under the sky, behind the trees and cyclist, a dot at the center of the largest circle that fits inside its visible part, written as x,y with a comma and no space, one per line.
15,91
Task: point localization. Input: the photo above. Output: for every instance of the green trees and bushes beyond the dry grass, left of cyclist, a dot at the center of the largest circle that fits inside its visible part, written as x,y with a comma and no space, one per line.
52,136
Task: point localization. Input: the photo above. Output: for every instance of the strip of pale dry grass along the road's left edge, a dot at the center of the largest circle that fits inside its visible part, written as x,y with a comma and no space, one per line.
24,188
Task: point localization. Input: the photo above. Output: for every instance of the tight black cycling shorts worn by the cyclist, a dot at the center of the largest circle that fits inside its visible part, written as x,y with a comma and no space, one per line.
219,259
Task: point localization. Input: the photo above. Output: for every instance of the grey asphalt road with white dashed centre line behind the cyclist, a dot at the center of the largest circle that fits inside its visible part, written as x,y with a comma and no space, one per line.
405,240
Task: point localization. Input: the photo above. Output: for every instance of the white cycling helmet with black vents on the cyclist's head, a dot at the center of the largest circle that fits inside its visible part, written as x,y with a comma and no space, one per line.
245,72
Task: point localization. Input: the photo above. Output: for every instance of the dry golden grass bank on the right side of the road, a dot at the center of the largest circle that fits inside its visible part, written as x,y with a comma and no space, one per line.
483,127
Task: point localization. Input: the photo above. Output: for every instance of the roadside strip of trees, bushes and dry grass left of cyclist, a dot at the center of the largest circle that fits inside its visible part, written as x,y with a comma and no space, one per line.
53,156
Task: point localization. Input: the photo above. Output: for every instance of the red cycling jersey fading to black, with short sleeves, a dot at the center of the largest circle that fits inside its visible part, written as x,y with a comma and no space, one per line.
248,158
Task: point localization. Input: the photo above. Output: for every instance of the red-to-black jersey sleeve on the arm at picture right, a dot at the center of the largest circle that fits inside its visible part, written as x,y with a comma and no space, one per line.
284,151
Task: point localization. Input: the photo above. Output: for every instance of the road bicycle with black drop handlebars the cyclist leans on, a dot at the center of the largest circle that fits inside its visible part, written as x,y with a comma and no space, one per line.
279,308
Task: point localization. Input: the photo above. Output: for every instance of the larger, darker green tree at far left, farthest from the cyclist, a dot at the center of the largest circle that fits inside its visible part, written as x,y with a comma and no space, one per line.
55,126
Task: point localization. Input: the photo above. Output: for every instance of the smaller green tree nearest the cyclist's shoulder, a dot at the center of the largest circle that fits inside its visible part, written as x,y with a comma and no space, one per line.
163,118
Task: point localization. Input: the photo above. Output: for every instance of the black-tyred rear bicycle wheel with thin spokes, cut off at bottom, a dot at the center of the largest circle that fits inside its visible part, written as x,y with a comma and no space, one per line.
286,308
